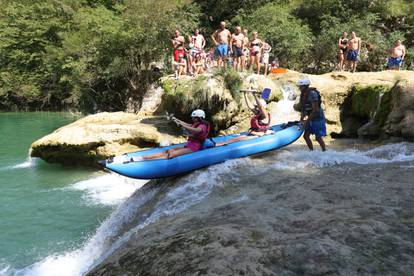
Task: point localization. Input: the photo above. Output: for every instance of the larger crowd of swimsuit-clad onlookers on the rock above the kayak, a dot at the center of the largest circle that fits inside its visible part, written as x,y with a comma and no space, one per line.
236,50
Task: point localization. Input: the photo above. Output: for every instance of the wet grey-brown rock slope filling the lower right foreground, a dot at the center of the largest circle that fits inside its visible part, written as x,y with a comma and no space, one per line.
343,219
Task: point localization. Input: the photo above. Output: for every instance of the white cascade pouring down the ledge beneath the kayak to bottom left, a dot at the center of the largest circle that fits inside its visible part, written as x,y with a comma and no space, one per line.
113,231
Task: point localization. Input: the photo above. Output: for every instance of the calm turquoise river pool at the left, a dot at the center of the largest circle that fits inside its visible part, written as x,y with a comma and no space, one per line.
41,212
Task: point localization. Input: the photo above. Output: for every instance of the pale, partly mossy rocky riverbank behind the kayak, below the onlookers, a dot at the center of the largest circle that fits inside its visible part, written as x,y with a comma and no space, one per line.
368,105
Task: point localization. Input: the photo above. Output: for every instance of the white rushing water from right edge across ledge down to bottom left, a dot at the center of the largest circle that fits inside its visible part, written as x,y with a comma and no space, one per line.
113,232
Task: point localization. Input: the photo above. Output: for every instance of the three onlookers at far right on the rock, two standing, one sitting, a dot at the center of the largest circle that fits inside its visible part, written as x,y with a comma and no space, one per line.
350,49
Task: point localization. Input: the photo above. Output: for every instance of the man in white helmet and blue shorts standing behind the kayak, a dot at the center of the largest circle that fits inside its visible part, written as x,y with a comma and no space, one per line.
310,100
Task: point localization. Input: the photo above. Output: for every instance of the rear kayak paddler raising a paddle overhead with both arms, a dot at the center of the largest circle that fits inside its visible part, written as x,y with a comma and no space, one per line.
259,122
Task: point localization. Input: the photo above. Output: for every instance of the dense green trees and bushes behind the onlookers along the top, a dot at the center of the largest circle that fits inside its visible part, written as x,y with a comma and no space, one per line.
96,55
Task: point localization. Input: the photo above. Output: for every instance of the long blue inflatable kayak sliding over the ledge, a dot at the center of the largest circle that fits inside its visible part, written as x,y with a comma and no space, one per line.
284,134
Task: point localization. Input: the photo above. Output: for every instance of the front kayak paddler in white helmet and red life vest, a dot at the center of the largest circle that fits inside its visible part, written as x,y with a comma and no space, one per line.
199,130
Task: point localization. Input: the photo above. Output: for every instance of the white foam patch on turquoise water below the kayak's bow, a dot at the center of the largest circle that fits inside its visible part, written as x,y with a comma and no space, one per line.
110,189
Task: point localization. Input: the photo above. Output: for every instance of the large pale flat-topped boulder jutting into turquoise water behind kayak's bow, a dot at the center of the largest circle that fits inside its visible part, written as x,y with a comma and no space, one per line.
103,135
